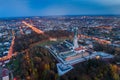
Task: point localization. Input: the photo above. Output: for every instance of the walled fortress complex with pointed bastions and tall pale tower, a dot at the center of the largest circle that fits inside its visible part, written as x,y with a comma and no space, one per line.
69,53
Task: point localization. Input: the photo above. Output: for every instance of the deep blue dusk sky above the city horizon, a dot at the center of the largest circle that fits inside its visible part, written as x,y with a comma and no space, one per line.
17,8
